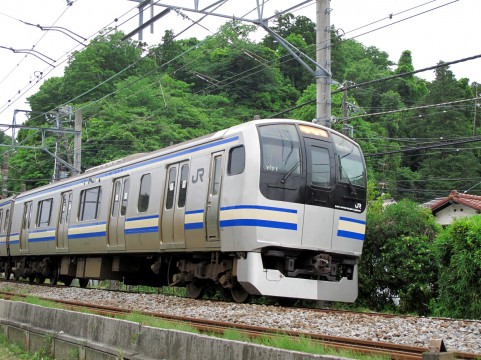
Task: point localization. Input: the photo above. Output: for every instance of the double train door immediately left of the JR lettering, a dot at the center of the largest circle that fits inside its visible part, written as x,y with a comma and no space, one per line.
173,214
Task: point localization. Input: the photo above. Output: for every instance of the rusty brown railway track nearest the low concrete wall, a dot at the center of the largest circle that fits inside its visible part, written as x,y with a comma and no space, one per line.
394,351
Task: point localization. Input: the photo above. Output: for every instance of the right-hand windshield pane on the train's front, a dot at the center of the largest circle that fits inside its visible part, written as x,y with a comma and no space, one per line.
350,161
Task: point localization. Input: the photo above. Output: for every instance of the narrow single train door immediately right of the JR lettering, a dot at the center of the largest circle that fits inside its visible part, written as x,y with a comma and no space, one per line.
213,199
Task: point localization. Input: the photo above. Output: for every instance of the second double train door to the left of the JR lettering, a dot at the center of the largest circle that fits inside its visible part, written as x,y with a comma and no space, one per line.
118,211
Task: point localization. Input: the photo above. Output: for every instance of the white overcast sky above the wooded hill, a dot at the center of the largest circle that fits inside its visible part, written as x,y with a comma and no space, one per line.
447,33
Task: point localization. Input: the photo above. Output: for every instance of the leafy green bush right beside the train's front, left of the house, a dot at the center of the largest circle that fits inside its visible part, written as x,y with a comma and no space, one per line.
397,260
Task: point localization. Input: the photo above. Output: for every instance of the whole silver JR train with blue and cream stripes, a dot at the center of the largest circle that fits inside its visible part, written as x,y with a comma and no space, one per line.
273,207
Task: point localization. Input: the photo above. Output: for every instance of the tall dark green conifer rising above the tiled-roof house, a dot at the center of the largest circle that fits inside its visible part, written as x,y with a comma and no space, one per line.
439,124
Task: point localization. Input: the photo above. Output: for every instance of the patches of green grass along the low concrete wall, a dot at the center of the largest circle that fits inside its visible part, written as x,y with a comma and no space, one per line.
285,342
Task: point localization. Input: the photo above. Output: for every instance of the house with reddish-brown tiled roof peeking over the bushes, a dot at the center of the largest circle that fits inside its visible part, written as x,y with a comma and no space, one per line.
454,206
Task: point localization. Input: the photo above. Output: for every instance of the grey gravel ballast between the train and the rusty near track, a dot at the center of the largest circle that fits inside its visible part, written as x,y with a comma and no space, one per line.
458,335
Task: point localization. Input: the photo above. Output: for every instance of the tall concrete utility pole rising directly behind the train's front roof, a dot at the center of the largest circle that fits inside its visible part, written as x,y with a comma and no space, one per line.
323,58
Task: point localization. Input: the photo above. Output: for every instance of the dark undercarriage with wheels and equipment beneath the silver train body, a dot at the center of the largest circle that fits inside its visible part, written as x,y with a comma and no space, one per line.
197,272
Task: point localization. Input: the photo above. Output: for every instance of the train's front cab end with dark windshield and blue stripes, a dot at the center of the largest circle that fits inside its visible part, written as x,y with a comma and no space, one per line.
309,219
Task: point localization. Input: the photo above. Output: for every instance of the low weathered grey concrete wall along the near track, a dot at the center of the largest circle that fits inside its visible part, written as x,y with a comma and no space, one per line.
70,335
